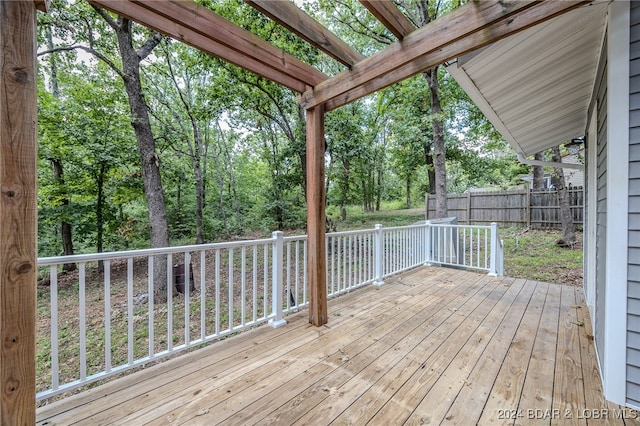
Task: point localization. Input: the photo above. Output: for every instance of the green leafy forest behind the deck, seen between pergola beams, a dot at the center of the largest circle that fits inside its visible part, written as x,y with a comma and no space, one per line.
144,141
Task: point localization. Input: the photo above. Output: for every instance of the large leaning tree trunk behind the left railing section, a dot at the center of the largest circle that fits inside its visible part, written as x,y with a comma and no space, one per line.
148,157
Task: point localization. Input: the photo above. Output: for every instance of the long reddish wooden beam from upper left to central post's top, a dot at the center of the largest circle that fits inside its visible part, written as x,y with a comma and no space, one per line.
199,27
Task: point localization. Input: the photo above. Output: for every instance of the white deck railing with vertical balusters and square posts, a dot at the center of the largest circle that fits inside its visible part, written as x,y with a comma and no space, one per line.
99,322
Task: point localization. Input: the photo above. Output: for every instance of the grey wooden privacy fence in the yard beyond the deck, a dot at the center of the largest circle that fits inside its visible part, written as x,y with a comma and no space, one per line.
535,209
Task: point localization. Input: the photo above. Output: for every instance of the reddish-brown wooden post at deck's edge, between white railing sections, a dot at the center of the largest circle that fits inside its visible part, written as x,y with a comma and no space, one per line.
316,262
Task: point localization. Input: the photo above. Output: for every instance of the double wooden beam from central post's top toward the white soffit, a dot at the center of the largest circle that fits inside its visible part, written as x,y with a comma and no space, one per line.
472,26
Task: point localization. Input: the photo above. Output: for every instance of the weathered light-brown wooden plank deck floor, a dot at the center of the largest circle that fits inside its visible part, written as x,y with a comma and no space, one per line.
432,346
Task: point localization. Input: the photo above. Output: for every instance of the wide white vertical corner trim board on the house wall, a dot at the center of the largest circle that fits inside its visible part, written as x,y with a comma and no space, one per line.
615,331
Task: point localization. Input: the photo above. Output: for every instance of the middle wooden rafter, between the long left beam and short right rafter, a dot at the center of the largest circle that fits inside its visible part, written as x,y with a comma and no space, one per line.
299,22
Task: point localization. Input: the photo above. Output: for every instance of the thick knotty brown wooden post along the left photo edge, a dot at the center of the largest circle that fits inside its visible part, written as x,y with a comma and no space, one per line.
18,115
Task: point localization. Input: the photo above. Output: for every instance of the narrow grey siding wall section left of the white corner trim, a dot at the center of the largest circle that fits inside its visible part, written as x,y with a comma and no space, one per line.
601,220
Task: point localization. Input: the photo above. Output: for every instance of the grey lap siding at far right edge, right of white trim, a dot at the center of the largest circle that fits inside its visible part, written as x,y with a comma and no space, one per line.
633,314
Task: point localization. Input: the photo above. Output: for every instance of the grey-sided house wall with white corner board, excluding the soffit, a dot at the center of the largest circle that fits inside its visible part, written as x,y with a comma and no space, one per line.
613,165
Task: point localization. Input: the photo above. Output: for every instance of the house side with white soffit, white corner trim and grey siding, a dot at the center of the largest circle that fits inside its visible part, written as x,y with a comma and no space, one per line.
579,74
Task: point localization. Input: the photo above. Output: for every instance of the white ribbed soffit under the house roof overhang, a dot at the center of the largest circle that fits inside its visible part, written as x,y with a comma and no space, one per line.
535,86
